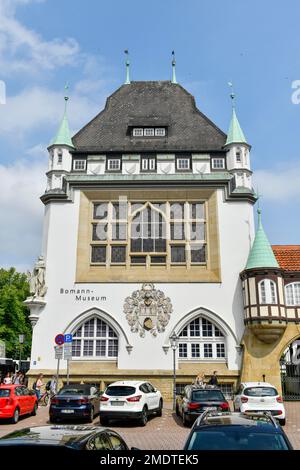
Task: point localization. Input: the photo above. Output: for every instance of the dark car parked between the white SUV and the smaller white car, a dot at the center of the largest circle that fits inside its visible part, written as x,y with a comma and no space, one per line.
194,400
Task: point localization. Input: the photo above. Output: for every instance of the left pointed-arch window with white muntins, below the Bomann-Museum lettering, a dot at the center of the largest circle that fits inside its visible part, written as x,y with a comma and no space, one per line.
95,338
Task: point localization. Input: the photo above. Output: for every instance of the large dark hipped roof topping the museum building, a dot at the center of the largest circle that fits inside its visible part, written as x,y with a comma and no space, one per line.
153,103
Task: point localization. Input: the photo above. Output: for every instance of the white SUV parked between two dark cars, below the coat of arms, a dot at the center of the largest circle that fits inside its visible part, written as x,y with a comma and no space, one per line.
130,400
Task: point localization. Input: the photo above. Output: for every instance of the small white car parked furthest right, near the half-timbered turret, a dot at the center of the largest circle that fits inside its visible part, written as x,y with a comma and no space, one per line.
259,396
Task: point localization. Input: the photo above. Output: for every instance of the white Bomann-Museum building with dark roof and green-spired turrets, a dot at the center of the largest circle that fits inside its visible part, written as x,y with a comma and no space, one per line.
149,235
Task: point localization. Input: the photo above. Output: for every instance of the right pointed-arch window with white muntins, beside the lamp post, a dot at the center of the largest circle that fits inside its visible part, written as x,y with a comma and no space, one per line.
201,340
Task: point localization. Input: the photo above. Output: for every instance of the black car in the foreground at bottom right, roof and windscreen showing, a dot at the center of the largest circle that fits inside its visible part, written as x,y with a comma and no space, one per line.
237,431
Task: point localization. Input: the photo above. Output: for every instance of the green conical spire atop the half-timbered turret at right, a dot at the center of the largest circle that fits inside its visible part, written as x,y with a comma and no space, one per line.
261,254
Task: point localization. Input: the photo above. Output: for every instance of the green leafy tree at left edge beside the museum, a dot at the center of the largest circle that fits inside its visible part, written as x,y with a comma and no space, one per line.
14,315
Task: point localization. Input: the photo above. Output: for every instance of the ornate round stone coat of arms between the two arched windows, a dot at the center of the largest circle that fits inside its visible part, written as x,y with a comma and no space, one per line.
148,309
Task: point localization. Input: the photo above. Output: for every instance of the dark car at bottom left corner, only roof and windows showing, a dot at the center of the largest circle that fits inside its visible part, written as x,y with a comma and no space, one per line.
71,437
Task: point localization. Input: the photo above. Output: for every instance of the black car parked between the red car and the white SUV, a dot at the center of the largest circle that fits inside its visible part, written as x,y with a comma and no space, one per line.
74,402
